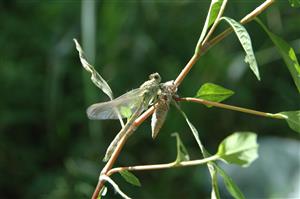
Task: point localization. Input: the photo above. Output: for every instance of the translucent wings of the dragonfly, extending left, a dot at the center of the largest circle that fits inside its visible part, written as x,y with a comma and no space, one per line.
108,110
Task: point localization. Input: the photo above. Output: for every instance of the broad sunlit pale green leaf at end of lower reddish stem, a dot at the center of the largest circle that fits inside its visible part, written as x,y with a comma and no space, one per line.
239,148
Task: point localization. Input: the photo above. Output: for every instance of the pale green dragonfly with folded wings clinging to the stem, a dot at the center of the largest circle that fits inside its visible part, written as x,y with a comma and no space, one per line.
129,105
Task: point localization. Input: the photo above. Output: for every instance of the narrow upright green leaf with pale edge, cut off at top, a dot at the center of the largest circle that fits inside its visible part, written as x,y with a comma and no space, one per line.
212,14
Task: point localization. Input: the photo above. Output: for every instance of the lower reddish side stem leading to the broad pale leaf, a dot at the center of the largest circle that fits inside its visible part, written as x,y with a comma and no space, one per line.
164,166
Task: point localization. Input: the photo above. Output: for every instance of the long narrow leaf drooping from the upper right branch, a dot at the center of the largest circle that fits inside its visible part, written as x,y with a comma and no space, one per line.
245,40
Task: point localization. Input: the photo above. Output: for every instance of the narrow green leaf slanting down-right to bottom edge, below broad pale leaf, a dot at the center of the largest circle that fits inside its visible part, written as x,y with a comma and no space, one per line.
232,188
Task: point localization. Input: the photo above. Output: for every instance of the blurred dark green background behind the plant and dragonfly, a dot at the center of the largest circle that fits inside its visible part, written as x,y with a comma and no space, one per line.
49,149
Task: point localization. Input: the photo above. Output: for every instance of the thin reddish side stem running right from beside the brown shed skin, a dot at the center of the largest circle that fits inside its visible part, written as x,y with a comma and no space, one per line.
230,107
